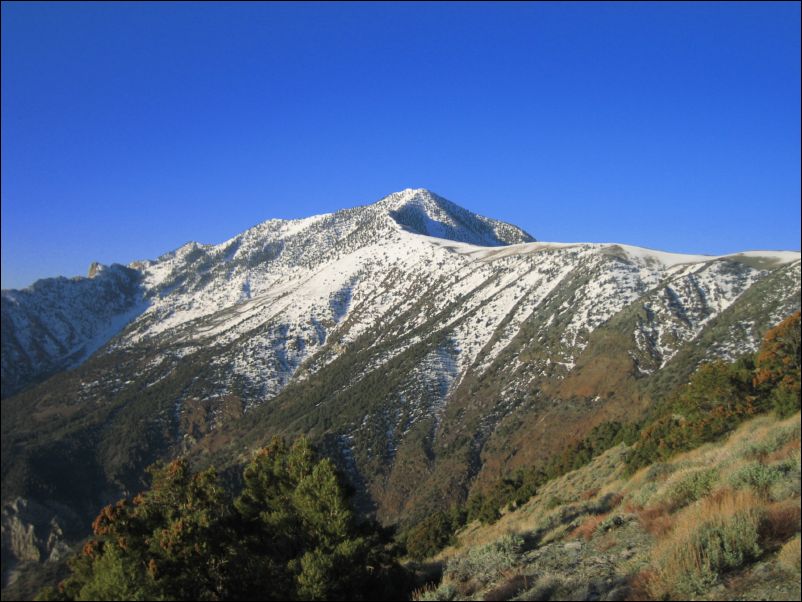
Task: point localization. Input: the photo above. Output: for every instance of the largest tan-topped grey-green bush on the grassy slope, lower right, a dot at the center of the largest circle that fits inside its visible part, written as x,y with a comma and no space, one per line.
719,534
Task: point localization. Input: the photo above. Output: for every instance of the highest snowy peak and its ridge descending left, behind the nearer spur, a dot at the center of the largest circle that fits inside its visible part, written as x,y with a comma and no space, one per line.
58,322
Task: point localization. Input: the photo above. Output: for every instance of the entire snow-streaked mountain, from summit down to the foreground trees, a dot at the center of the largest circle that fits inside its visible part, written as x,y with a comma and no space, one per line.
426,347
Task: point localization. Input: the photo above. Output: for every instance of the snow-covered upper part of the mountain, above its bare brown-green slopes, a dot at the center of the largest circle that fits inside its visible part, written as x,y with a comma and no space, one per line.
288,297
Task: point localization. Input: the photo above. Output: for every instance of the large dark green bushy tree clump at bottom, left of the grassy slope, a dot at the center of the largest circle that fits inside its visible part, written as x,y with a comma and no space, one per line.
290,534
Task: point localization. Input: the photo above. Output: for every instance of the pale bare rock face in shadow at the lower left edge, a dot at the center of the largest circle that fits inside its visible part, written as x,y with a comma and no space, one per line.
30,533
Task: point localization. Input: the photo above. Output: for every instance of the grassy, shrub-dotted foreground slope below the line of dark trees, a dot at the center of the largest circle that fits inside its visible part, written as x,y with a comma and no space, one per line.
719,523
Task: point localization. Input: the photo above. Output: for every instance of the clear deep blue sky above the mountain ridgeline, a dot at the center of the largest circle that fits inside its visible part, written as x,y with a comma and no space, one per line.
130,129
